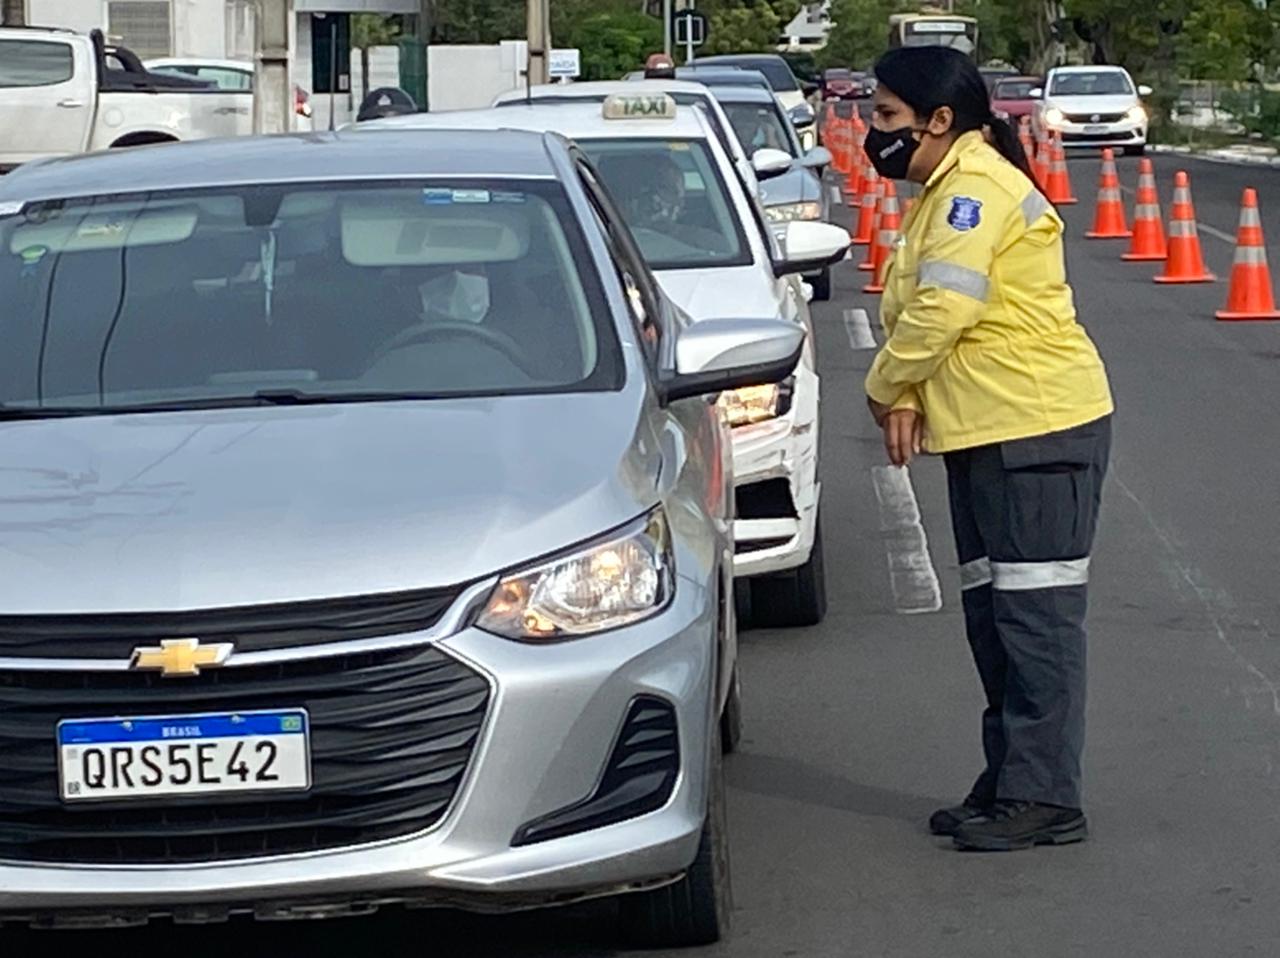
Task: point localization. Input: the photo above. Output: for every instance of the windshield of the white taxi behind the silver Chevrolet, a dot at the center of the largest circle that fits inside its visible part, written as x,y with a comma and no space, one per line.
674,200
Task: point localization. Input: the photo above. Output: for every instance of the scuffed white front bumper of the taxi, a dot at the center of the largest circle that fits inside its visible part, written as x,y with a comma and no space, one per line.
776,477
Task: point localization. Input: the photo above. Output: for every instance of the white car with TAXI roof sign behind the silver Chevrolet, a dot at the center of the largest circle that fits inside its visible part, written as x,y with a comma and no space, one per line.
714,253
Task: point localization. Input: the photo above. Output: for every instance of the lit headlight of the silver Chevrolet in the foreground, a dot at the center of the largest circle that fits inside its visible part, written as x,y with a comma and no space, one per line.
621,580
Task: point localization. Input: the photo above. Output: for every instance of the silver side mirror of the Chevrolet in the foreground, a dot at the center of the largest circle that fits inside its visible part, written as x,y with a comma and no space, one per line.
716,355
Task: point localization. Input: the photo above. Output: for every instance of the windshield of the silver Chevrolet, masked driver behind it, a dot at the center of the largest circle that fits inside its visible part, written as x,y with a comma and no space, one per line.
312,291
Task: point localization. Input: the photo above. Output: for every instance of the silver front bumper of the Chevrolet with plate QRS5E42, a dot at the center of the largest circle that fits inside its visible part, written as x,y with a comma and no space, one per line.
555,714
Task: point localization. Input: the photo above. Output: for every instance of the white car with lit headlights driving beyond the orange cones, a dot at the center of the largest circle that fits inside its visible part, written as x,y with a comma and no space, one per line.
1094,107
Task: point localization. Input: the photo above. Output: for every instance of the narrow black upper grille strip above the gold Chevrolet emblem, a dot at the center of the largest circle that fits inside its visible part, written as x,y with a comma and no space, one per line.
252,628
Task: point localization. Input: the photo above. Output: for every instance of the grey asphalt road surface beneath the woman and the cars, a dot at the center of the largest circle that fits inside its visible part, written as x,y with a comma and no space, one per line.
860,728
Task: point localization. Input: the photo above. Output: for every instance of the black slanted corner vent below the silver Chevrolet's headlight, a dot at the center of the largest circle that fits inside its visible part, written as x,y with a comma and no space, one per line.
639,777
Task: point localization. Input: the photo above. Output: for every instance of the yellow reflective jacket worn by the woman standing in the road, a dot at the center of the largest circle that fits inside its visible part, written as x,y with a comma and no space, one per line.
981,325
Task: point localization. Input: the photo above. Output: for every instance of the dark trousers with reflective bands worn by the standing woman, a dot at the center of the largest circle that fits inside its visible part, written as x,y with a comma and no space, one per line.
1025,516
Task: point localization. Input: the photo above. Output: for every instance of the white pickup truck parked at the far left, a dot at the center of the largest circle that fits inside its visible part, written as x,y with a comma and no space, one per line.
65,93
